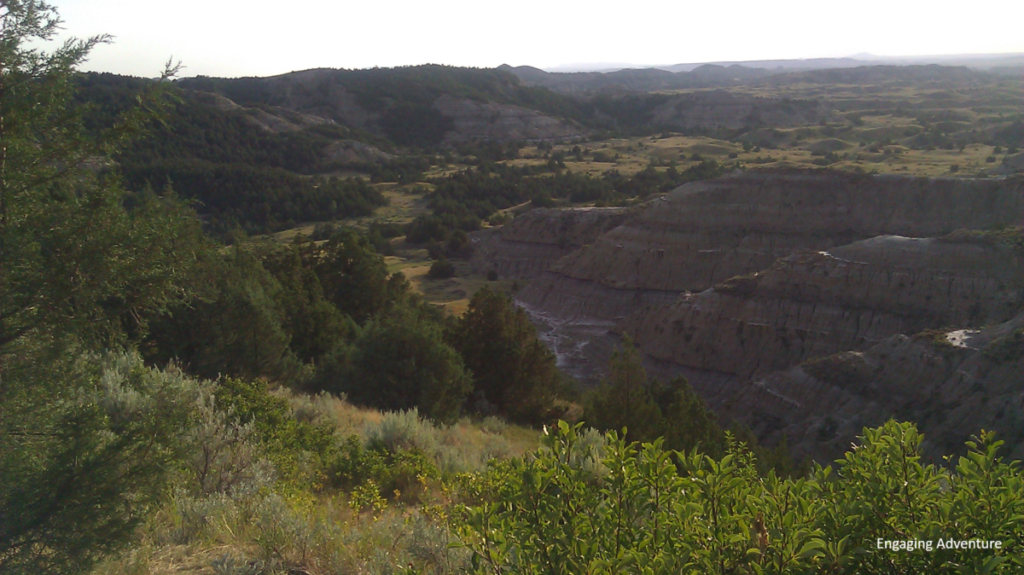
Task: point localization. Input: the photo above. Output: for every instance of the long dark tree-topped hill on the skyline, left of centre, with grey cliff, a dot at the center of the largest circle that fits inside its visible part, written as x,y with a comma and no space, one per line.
423,106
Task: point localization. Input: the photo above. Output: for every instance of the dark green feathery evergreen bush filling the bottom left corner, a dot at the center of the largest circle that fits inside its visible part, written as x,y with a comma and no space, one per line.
78,483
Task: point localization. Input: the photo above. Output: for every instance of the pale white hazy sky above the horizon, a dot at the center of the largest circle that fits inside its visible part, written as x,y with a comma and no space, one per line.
261,38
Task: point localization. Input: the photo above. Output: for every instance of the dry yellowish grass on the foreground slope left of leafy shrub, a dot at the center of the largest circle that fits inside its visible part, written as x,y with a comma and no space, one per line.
284,530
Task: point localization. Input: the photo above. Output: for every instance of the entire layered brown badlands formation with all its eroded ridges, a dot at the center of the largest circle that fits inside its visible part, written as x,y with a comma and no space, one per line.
805,305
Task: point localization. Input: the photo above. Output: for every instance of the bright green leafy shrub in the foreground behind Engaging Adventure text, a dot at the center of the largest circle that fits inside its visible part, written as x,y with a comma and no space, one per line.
577,507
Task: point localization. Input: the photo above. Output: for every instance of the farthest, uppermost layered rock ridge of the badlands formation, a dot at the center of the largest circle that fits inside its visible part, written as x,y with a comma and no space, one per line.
707,233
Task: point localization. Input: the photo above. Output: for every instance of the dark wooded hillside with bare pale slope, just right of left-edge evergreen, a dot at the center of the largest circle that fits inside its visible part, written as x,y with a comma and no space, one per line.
246,167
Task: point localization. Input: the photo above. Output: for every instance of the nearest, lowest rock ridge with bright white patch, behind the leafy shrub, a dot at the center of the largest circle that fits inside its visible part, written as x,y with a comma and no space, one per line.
951,384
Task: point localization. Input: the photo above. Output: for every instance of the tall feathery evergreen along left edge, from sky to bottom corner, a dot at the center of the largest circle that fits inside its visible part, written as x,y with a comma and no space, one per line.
82,454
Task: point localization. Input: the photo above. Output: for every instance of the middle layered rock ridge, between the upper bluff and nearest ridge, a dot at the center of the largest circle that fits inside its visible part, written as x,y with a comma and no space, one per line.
815,304
